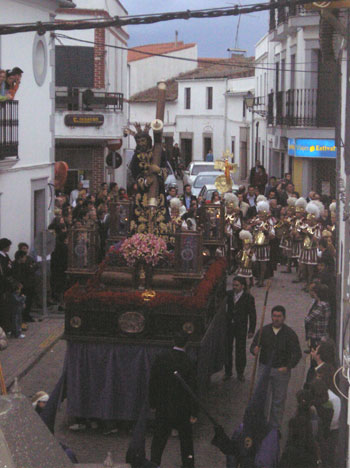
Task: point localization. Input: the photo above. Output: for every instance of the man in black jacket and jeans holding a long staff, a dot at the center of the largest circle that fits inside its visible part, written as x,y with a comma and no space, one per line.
279,346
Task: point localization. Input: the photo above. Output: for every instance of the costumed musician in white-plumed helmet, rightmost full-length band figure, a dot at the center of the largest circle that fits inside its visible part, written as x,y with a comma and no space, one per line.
311,232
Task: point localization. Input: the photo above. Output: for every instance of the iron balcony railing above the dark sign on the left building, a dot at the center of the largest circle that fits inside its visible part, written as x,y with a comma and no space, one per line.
77,99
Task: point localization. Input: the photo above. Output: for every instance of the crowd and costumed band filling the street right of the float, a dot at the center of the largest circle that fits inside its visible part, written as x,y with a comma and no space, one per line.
268,224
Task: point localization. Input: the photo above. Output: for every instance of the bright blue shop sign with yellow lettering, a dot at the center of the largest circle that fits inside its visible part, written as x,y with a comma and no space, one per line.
311,148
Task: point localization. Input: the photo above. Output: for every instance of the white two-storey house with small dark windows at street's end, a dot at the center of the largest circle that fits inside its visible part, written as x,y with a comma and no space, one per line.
203,112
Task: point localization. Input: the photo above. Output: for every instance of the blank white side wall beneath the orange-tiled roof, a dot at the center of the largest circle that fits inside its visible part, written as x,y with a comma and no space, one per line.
145,73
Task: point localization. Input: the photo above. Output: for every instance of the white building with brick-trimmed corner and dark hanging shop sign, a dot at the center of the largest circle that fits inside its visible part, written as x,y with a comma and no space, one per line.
91,87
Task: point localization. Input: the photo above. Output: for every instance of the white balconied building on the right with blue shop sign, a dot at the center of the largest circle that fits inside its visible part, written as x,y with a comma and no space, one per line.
295,81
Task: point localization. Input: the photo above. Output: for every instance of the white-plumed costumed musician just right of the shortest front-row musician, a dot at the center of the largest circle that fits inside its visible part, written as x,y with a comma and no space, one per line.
263,231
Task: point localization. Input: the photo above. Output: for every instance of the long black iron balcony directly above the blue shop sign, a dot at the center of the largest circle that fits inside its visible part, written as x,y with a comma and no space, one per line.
299,108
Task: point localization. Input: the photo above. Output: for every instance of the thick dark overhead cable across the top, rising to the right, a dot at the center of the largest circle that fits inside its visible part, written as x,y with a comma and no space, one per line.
119,21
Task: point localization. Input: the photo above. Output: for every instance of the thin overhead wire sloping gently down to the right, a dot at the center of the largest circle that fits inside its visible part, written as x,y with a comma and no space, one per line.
187,59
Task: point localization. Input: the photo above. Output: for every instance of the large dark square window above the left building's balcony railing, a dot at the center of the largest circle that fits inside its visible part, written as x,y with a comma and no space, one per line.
75,66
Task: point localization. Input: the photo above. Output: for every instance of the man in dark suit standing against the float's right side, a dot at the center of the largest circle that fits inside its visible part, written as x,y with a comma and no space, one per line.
240,308
